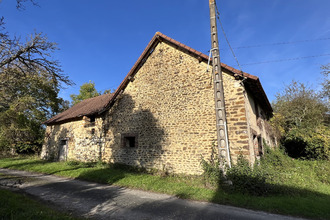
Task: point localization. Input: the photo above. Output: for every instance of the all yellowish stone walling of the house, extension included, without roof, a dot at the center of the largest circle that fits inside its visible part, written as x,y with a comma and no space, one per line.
164,119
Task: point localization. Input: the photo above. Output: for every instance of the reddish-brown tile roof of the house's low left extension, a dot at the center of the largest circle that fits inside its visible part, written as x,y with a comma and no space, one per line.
86,107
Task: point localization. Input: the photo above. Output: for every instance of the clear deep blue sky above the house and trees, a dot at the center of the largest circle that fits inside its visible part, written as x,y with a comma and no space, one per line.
100,40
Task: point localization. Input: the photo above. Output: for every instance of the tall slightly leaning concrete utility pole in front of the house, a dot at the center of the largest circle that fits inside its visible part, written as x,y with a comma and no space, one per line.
221,123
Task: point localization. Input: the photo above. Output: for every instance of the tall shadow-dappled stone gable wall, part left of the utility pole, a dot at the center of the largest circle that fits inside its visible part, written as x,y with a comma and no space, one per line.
170,108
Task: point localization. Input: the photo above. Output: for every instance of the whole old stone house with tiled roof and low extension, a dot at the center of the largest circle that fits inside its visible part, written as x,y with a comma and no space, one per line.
163,115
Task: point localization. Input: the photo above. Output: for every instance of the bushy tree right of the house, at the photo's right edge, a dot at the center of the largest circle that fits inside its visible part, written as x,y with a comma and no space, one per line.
300,115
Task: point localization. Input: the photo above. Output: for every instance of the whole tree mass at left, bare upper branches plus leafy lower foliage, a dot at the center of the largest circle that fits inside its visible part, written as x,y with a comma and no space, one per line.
29,84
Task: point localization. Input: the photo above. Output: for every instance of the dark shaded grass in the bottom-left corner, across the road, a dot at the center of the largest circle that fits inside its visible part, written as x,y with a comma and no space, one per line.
20,206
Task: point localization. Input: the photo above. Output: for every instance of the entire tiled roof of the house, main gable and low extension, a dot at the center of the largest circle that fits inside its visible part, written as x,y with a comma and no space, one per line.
101,103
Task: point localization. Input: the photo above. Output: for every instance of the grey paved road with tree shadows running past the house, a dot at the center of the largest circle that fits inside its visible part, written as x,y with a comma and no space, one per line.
100,201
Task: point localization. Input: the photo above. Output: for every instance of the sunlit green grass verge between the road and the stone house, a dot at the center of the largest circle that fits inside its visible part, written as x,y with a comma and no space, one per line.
300,188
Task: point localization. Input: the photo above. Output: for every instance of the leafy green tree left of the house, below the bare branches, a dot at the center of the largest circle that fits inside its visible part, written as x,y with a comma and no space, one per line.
25,102
